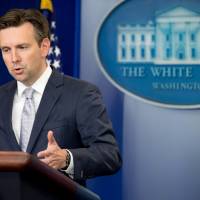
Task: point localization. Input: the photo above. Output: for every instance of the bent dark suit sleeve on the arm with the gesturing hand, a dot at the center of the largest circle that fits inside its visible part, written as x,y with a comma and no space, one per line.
100,154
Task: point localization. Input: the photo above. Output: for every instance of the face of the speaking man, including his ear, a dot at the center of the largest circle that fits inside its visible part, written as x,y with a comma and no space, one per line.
24,58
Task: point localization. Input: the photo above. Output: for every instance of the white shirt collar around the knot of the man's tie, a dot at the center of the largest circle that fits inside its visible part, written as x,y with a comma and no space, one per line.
39,85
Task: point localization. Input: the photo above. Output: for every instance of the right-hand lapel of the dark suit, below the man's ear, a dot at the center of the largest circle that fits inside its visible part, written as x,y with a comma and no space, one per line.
51,95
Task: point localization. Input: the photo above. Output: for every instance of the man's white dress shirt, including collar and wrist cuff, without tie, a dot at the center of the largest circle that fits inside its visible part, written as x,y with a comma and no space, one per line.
18,104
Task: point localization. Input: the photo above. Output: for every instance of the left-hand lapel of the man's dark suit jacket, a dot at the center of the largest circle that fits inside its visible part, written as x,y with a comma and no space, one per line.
8,104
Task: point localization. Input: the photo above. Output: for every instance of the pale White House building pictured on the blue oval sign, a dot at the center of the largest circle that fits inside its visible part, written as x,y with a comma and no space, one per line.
173,37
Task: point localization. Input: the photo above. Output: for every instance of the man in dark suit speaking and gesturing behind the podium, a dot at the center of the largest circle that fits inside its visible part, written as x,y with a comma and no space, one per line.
71,131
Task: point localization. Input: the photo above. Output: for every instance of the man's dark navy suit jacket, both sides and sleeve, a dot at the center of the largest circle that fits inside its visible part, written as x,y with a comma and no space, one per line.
74,111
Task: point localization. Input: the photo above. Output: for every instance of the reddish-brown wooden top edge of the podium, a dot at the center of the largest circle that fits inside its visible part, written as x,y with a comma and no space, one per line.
11,161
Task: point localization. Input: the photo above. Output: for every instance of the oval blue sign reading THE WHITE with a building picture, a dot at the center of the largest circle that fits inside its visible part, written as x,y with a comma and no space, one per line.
153,55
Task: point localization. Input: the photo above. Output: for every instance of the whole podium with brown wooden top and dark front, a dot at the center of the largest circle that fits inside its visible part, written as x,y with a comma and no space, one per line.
24,177
